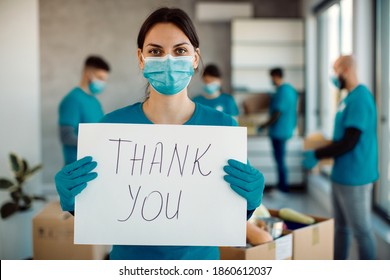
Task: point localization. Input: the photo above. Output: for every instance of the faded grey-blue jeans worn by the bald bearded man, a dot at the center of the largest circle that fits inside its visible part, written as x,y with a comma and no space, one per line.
352,214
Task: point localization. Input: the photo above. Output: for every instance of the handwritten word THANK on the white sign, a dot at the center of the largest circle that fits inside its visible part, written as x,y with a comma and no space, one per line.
142,159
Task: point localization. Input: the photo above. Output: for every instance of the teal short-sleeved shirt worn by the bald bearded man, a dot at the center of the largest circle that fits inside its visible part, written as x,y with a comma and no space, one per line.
360,165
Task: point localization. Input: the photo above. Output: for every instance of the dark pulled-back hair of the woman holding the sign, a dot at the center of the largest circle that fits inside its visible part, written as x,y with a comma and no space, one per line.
169,15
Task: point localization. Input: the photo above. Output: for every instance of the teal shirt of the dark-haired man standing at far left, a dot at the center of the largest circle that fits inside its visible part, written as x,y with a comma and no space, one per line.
78,107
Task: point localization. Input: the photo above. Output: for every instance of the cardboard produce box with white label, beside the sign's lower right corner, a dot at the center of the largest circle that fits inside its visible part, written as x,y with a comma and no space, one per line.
278,249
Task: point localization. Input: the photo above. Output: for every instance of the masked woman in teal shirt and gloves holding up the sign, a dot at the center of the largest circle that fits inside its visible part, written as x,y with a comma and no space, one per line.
168,55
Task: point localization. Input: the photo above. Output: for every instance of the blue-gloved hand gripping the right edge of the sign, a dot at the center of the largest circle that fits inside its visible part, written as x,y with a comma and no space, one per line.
246,181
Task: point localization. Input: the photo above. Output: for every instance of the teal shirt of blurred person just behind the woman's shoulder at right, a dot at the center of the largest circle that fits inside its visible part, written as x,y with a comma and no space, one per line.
224,103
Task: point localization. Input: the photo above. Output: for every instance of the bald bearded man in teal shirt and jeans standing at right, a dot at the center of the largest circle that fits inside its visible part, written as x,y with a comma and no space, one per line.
355,152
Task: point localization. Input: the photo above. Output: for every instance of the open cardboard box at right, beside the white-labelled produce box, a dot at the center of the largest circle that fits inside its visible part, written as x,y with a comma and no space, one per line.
312,242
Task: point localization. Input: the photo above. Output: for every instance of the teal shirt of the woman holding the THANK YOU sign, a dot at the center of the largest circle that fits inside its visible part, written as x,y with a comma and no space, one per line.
202,116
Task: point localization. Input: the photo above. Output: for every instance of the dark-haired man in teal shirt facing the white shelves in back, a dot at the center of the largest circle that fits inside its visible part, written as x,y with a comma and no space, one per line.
281,124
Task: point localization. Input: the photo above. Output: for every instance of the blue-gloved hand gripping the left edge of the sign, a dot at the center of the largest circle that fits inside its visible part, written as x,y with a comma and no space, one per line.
72,179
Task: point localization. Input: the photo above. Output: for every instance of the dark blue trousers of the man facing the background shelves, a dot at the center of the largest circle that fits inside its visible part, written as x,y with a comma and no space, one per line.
279,149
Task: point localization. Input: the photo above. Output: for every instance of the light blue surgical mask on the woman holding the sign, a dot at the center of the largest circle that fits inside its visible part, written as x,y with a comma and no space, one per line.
169,75
